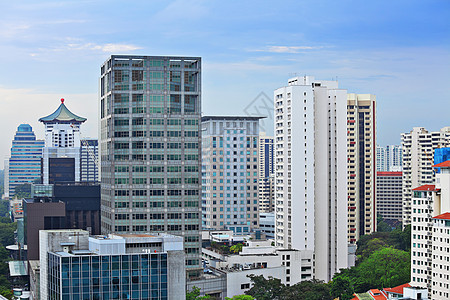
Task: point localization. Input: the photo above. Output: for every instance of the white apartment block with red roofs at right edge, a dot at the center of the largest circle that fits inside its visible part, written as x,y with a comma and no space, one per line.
429,232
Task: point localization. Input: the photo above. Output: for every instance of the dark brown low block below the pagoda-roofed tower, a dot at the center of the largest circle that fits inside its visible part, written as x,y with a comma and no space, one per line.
60,206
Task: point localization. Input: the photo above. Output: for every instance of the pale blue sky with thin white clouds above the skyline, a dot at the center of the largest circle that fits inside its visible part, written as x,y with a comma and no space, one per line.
398,50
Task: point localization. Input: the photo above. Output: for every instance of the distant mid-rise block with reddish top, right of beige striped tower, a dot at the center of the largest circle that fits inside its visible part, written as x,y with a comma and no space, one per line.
389,196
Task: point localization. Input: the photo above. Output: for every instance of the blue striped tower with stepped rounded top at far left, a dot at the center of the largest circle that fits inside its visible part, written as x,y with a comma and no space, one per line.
24,166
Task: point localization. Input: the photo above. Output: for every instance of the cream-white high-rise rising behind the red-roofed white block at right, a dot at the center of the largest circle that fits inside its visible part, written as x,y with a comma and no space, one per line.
418,156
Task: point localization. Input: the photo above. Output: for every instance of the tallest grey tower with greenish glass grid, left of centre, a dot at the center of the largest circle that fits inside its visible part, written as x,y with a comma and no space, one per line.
150,148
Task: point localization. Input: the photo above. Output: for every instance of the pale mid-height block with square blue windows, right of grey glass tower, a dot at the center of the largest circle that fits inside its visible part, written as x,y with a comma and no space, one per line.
230,173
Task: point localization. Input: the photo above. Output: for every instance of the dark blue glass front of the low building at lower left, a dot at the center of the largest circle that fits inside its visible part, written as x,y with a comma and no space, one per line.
126,276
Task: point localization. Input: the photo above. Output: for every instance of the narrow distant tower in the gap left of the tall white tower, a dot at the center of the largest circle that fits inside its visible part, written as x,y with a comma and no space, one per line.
266,174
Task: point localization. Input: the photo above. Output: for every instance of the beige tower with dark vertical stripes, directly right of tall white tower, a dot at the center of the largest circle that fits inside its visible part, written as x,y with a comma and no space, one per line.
361,152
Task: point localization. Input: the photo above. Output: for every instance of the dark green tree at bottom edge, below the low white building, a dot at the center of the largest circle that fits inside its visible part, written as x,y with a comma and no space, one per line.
265,289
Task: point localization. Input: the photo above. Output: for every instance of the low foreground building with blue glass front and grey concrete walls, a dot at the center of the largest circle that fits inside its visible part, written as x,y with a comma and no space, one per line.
76,266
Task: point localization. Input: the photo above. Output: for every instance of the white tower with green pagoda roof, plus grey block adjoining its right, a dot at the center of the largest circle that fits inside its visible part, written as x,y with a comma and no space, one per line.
64,159
